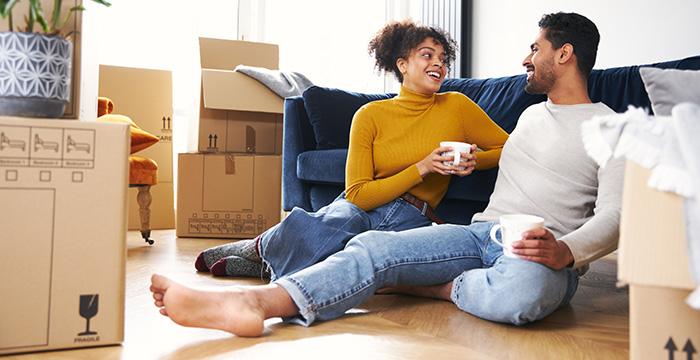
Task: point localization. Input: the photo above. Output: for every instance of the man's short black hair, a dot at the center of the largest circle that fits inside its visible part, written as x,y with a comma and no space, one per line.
577,30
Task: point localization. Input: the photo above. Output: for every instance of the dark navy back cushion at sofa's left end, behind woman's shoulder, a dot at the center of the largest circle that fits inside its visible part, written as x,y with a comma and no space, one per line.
330,114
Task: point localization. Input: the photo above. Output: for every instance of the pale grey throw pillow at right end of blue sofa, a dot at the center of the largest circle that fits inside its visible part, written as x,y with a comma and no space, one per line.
669,87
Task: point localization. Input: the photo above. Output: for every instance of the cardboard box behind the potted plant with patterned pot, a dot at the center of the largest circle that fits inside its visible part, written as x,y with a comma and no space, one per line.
75,26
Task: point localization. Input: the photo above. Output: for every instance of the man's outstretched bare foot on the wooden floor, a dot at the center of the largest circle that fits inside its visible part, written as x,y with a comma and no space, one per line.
231,309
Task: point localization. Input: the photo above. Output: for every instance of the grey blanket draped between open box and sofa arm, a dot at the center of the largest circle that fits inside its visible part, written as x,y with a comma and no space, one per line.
282,83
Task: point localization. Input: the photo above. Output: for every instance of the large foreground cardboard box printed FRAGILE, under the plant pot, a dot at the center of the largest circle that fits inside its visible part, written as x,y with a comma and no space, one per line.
62,251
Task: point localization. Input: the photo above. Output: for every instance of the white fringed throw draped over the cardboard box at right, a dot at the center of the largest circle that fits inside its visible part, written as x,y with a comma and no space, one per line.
668,146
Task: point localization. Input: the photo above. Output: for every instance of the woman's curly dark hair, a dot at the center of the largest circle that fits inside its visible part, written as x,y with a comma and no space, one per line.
396,40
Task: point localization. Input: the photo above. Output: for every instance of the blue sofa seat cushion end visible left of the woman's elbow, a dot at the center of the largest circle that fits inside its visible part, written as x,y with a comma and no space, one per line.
322,166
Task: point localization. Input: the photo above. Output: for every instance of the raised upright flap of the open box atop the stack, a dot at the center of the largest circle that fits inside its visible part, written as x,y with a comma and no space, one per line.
226,54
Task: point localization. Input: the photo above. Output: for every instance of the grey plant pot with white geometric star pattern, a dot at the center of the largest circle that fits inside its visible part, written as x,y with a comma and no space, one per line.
35,73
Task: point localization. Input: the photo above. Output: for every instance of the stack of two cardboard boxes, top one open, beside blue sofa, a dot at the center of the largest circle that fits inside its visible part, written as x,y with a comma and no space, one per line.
231,188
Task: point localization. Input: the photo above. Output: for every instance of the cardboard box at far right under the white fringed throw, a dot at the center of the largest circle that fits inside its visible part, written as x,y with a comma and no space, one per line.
653,260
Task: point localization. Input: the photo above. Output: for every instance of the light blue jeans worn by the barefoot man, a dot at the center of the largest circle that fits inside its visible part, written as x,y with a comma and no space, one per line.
486,283
